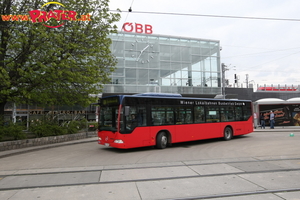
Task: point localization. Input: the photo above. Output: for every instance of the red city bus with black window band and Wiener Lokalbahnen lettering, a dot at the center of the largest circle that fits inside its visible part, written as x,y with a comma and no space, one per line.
151,119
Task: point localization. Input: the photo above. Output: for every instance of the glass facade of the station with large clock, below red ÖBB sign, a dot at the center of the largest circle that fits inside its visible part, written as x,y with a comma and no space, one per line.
156,63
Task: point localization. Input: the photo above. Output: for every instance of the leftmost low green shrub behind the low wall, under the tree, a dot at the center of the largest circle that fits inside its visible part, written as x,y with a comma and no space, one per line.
12,131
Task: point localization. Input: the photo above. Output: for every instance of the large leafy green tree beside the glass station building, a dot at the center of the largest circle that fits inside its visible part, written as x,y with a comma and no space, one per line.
54,66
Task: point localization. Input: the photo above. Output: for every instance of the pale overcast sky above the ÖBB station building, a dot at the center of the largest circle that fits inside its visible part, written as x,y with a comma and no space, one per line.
268,51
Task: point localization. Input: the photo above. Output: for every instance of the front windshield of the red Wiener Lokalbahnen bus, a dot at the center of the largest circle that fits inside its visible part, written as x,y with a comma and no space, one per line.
108,118
